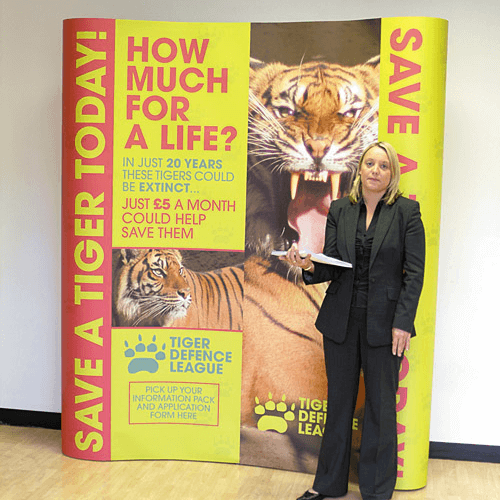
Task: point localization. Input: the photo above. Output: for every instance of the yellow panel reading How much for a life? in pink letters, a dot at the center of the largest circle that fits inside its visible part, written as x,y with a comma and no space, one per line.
180,135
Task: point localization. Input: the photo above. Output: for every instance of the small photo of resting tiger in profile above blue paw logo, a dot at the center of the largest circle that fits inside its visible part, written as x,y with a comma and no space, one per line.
151,287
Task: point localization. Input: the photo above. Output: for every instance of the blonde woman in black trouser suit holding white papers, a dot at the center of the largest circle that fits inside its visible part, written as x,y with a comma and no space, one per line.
366,320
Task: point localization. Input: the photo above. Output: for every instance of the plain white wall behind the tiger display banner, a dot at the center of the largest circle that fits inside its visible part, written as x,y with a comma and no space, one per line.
465,398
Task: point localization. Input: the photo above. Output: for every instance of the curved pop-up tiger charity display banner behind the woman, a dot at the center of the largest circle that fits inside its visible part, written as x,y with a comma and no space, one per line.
190,152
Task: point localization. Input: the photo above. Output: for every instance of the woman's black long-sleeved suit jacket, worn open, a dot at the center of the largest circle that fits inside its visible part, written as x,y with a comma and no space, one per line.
396,270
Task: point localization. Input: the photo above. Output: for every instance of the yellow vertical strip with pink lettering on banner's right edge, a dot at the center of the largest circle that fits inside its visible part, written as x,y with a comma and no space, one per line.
412,100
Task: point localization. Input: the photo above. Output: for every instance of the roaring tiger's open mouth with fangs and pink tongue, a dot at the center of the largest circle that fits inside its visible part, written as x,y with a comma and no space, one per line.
311,194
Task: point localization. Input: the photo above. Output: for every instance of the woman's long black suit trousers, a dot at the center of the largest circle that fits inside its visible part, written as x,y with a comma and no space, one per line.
378,454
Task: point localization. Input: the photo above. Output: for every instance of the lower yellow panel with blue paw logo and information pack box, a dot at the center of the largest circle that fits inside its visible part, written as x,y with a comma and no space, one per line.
177,393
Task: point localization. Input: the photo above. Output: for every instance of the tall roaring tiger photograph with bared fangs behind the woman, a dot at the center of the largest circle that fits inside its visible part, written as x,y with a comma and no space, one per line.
313,108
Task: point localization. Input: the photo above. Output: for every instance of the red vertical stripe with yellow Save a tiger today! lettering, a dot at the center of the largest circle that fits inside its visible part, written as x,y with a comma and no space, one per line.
85,429
